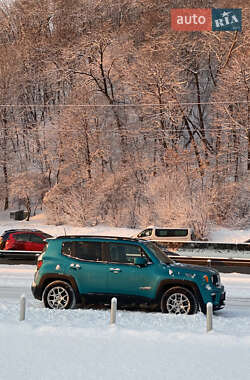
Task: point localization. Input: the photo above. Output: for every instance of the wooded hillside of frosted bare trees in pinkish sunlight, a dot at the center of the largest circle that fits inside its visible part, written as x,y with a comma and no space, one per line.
107,115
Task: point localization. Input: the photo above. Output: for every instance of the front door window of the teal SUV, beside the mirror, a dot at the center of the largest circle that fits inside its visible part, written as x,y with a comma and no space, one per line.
124,253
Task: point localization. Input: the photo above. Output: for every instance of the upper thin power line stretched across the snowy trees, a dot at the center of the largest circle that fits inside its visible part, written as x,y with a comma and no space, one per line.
126,104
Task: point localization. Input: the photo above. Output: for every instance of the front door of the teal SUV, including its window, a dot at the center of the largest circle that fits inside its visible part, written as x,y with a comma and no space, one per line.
126,278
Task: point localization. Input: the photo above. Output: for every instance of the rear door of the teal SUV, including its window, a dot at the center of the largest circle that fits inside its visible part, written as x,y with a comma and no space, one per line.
85,263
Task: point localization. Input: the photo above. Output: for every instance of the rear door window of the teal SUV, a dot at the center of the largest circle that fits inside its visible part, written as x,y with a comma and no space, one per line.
83,250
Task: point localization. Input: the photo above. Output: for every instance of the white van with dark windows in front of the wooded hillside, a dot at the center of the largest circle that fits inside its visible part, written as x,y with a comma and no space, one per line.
166,234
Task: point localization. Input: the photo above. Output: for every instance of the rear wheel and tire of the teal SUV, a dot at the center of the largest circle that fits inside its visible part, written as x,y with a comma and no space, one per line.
59,295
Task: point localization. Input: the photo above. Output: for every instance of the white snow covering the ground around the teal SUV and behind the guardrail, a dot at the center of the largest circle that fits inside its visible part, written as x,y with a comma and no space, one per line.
81,344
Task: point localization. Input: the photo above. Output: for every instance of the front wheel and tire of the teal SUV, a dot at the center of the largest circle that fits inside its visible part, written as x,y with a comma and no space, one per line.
178,300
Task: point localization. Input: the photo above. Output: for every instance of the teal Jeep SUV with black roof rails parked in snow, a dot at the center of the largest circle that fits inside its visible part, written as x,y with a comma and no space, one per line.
78,270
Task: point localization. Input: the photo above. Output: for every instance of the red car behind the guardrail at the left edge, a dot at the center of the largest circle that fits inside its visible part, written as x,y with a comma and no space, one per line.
23,240
